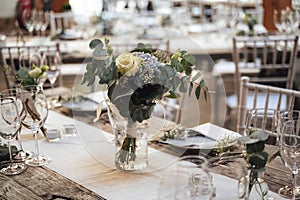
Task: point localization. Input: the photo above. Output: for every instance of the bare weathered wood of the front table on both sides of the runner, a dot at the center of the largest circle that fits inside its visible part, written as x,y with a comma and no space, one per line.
43,183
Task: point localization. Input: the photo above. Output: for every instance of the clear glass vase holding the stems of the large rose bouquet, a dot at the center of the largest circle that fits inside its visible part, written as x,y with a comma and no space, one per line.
131,147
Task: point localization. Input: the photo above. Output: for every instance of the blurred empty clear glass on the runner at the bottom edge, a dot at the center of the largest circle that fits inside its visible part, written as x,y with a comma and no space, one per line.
192,178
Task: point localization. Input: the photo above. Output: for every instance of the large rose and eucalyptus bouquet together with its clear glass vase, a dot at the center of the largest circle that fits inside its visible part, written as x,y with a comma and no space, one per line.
136,81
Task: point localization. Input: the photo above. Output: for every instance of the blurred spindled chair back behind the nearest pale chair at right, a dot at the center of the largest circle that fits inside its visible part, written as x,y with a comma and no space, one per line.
266,60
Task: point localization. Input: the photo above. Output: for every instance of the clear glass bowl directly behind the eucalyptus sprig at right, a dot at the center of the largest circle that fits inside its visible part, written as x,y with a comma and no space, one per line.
263,119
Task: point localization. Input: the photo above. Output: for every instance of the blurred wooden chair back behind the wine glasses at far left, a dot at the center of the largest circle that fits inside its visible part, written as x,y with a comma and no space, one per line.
14,57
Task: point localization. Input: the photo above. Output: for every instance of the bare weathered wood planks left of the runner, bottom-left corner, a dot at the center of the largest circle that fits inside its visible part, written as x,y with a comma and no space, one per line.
42,183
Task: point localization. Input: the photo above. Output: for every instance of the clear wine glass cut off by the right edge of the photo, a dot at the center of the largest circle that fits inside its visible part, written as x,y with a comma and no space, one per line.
290,149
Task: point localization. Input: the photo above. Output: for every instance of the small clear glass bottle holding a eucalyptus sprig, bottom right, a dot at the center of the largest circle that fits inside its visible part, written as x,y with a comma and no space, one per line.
253,186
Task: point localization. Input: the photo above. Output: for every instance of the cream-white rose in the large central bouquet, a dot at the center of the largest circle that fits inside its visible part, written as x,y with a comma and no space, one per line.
128,64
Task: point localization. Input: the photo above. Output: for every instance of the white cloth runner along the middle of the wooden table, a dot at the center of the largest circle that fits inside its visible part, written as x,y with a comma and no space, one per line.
88,160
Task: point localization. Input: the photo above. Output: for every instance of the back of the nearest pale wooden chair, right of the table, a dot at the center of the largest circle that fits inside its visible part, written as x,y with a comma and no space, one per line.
262,97
